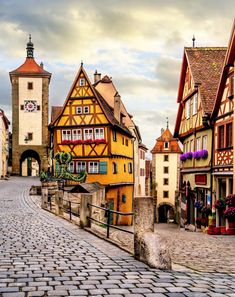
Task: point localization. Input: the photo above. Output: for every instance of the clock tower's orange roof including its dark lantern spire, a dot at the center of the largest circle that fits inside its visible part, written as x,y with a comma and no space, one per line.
30,67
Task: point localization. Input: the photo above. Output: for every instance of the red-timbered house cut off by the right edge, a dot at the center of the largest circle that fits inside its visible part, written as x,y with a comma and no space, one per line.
222,117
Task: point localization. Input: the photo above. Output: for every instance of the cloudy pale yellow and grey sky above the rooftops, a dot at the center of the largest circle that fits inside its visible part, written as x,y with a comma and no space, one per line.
138,43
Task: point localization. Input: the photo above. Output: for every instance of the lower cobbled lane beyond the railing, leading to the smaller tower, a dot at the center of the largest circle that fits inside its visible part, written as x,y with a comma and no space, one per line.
195,250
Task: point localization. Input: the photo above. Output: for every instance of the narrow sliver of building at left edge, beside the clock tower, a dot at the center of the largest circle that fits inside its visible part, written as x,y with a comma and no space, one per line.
4,144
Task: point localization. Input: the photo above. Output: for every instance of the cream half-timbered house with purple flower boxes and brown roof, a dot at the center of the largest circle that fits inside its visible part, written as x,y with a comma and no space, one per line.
200,74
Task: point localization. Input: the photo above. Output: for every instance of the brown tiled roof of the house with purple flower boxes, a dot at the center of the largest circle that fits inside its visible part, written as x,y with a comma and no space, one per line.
206,64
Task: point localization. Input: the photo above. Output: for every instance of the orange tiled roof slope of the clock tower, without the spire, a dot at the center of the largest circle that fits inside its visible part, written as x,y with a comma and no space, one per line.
30,67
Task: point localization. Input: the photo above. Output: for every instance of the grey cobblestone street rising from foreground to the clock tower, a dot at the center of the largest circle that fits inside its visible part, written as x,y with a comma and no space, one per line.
43,255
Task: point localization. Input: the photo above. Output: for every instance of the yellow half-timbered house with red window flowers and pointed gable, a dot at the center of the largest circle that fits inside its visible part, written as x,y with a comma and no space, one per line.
99,142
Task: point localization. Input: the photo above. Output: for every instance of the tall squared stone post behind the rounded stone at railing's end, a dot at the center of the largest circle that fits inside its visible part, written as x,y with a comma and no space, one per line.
143,221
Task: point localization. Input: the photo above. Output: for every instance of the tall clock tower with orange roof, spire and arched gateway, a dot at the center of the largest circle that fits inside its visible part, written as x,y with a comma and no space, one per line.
30,89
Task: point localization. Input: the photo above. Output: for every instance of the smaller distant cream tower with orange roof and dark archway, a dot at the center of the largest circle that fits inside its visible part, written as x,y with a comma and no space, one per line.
165,175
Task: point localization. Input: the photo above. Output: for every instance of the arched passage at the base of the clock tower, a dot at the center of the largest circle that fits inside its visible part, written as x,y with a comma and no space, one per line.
30,164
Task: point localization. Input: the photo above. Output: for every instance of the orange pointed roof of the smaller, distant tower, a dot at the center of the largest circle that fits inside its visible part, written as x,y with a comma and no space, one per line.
173,146
